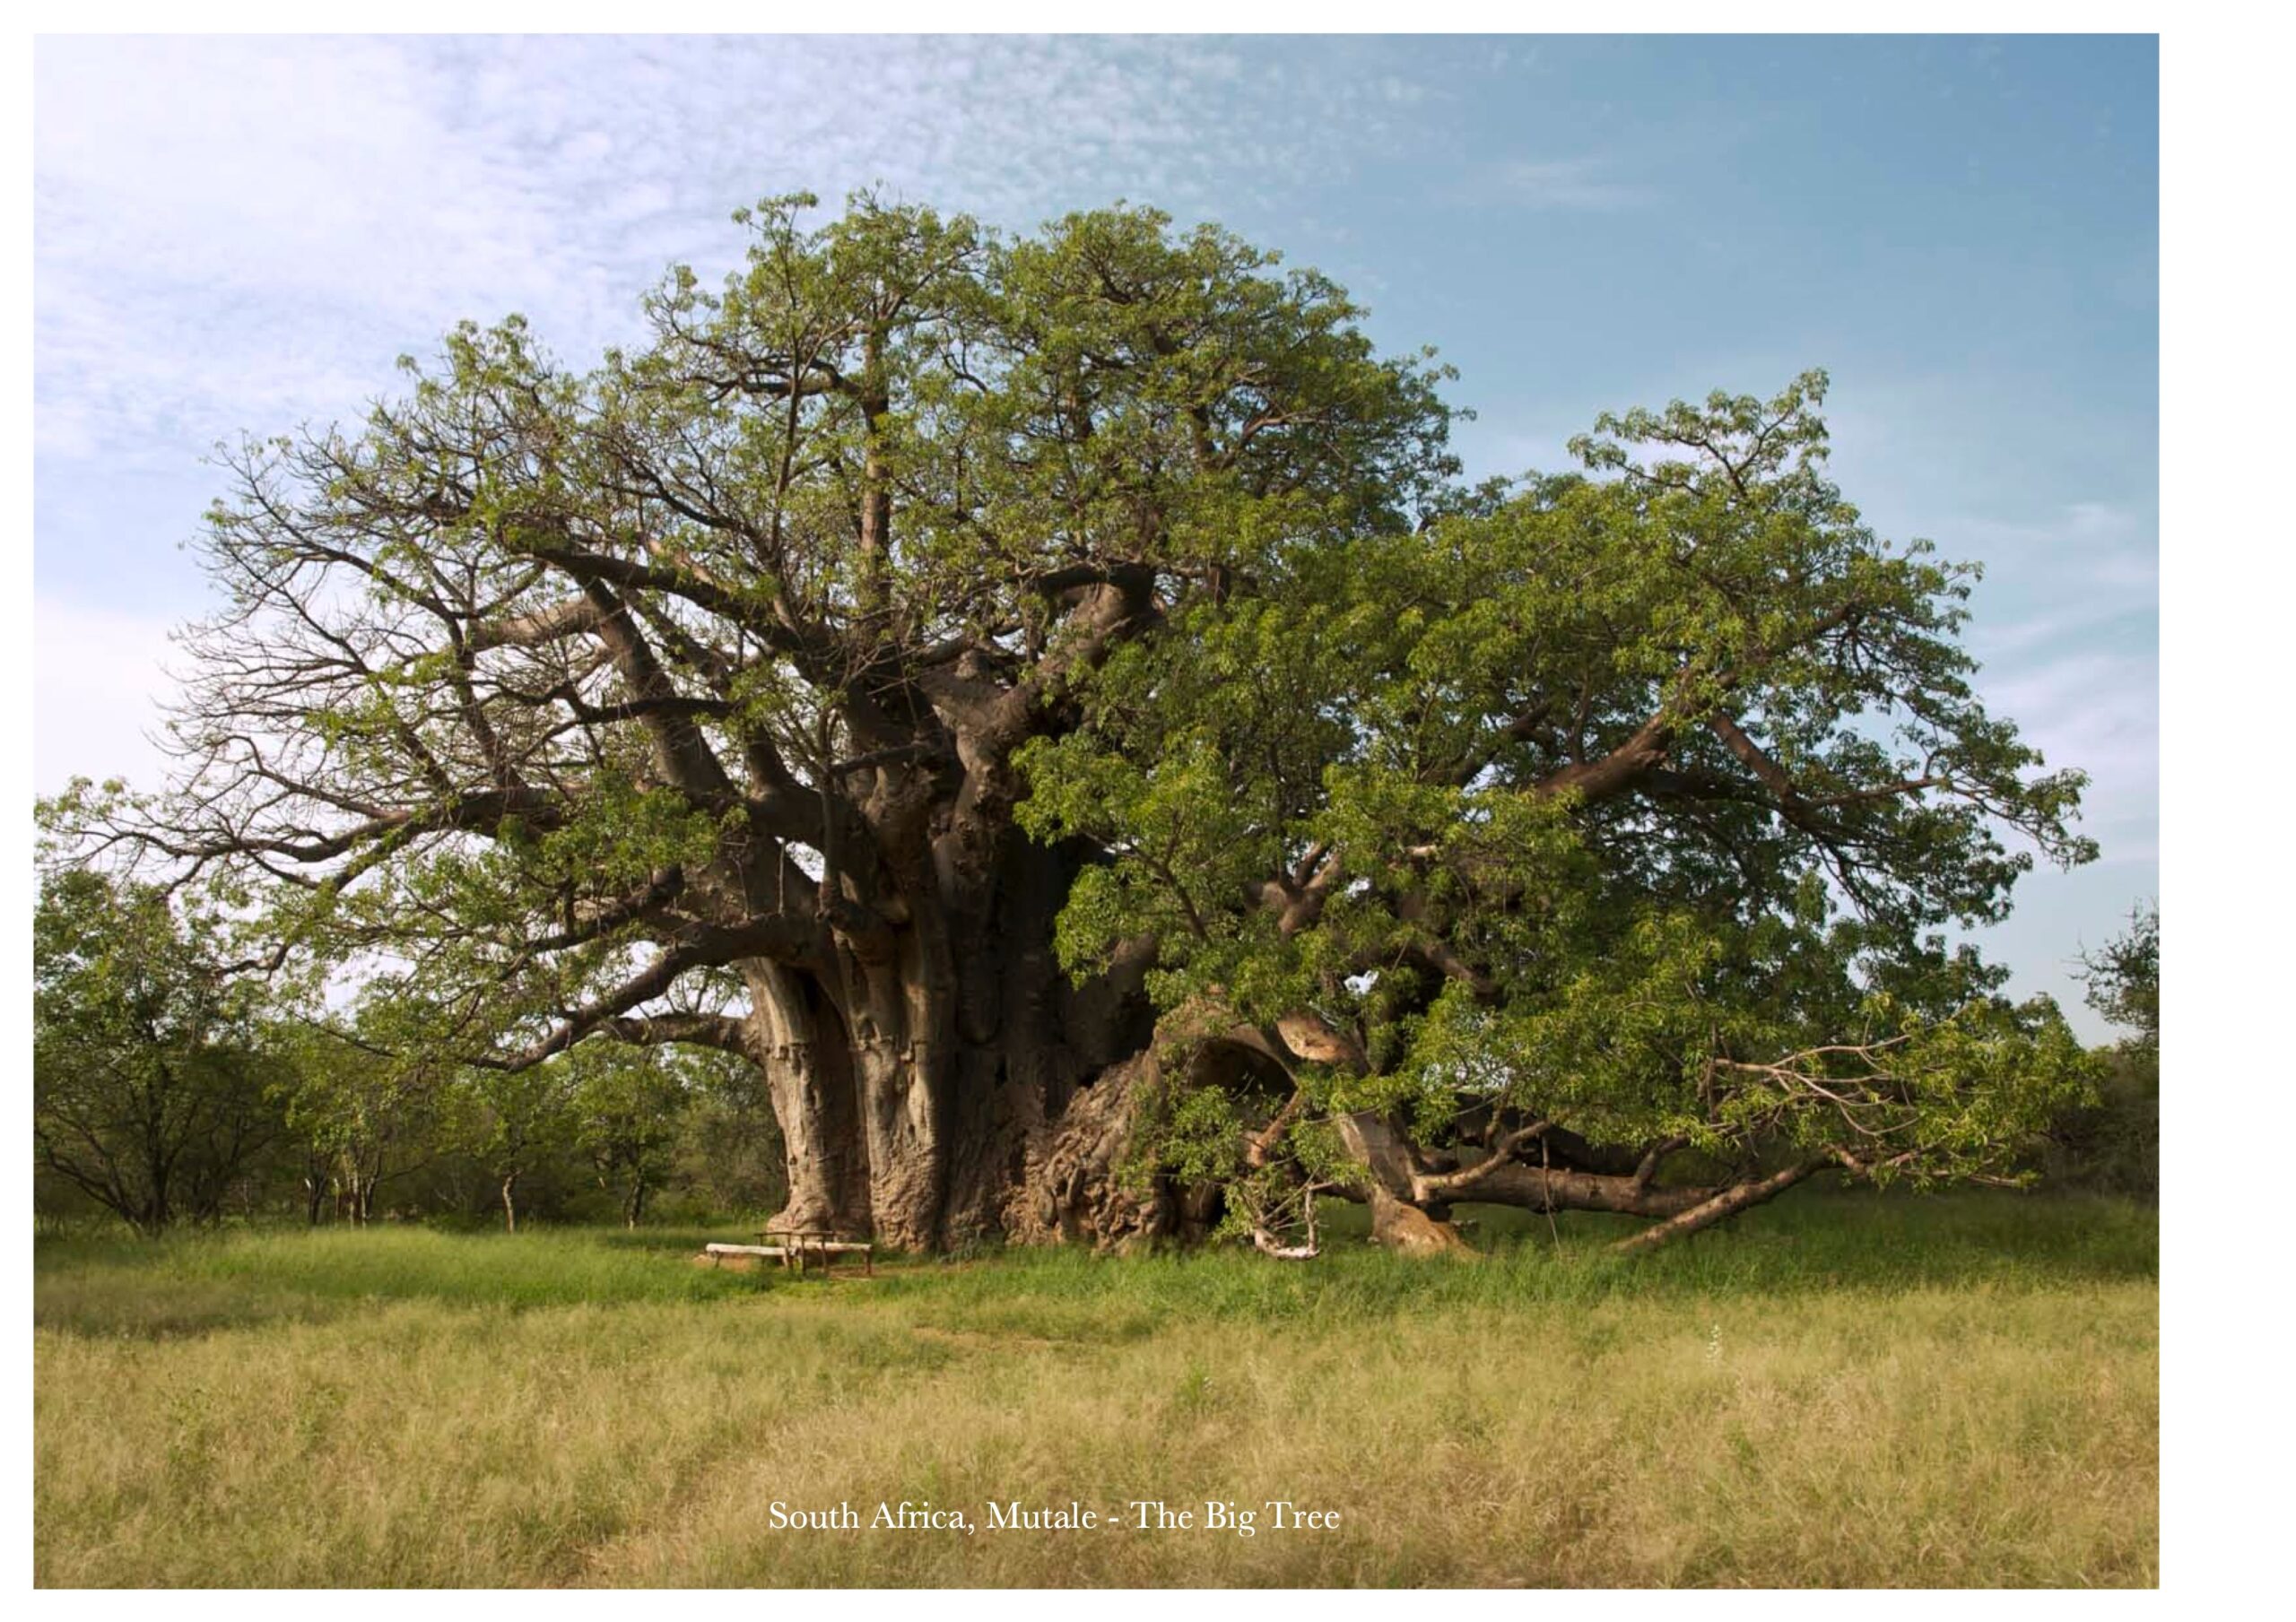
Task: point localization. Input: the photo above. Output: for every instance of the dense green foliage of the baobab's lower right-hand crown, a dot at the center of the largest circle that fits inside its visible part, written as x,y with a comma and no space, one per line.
1629,800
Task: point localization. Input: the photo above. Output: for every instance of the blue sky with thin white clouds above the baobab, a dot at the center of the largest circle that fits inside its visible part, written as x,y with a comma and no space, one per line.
245,233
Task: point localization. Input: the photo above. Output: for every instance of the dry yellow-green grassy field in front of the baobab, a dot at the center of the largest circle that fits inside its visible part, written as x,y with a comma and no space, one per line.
1838,1391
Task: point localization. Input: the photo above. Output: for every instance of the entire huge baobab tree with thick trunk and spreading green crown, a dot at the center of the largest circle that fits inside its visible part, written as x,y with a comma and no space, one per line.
1014,692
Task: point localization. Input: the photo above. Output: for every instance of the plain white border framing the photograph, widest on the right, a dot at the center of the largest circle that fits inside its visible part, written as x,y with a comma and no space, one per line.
2226,600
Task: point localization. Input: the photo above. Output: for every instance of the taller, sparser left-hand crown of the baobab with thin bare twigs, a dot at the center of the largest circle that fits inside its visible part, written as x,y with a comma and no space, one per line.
1106,396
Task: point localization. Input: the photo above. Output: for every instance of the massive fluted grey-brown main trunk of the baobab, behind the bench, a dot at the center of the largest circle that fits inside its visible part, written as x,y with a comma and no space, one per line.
947,1086
